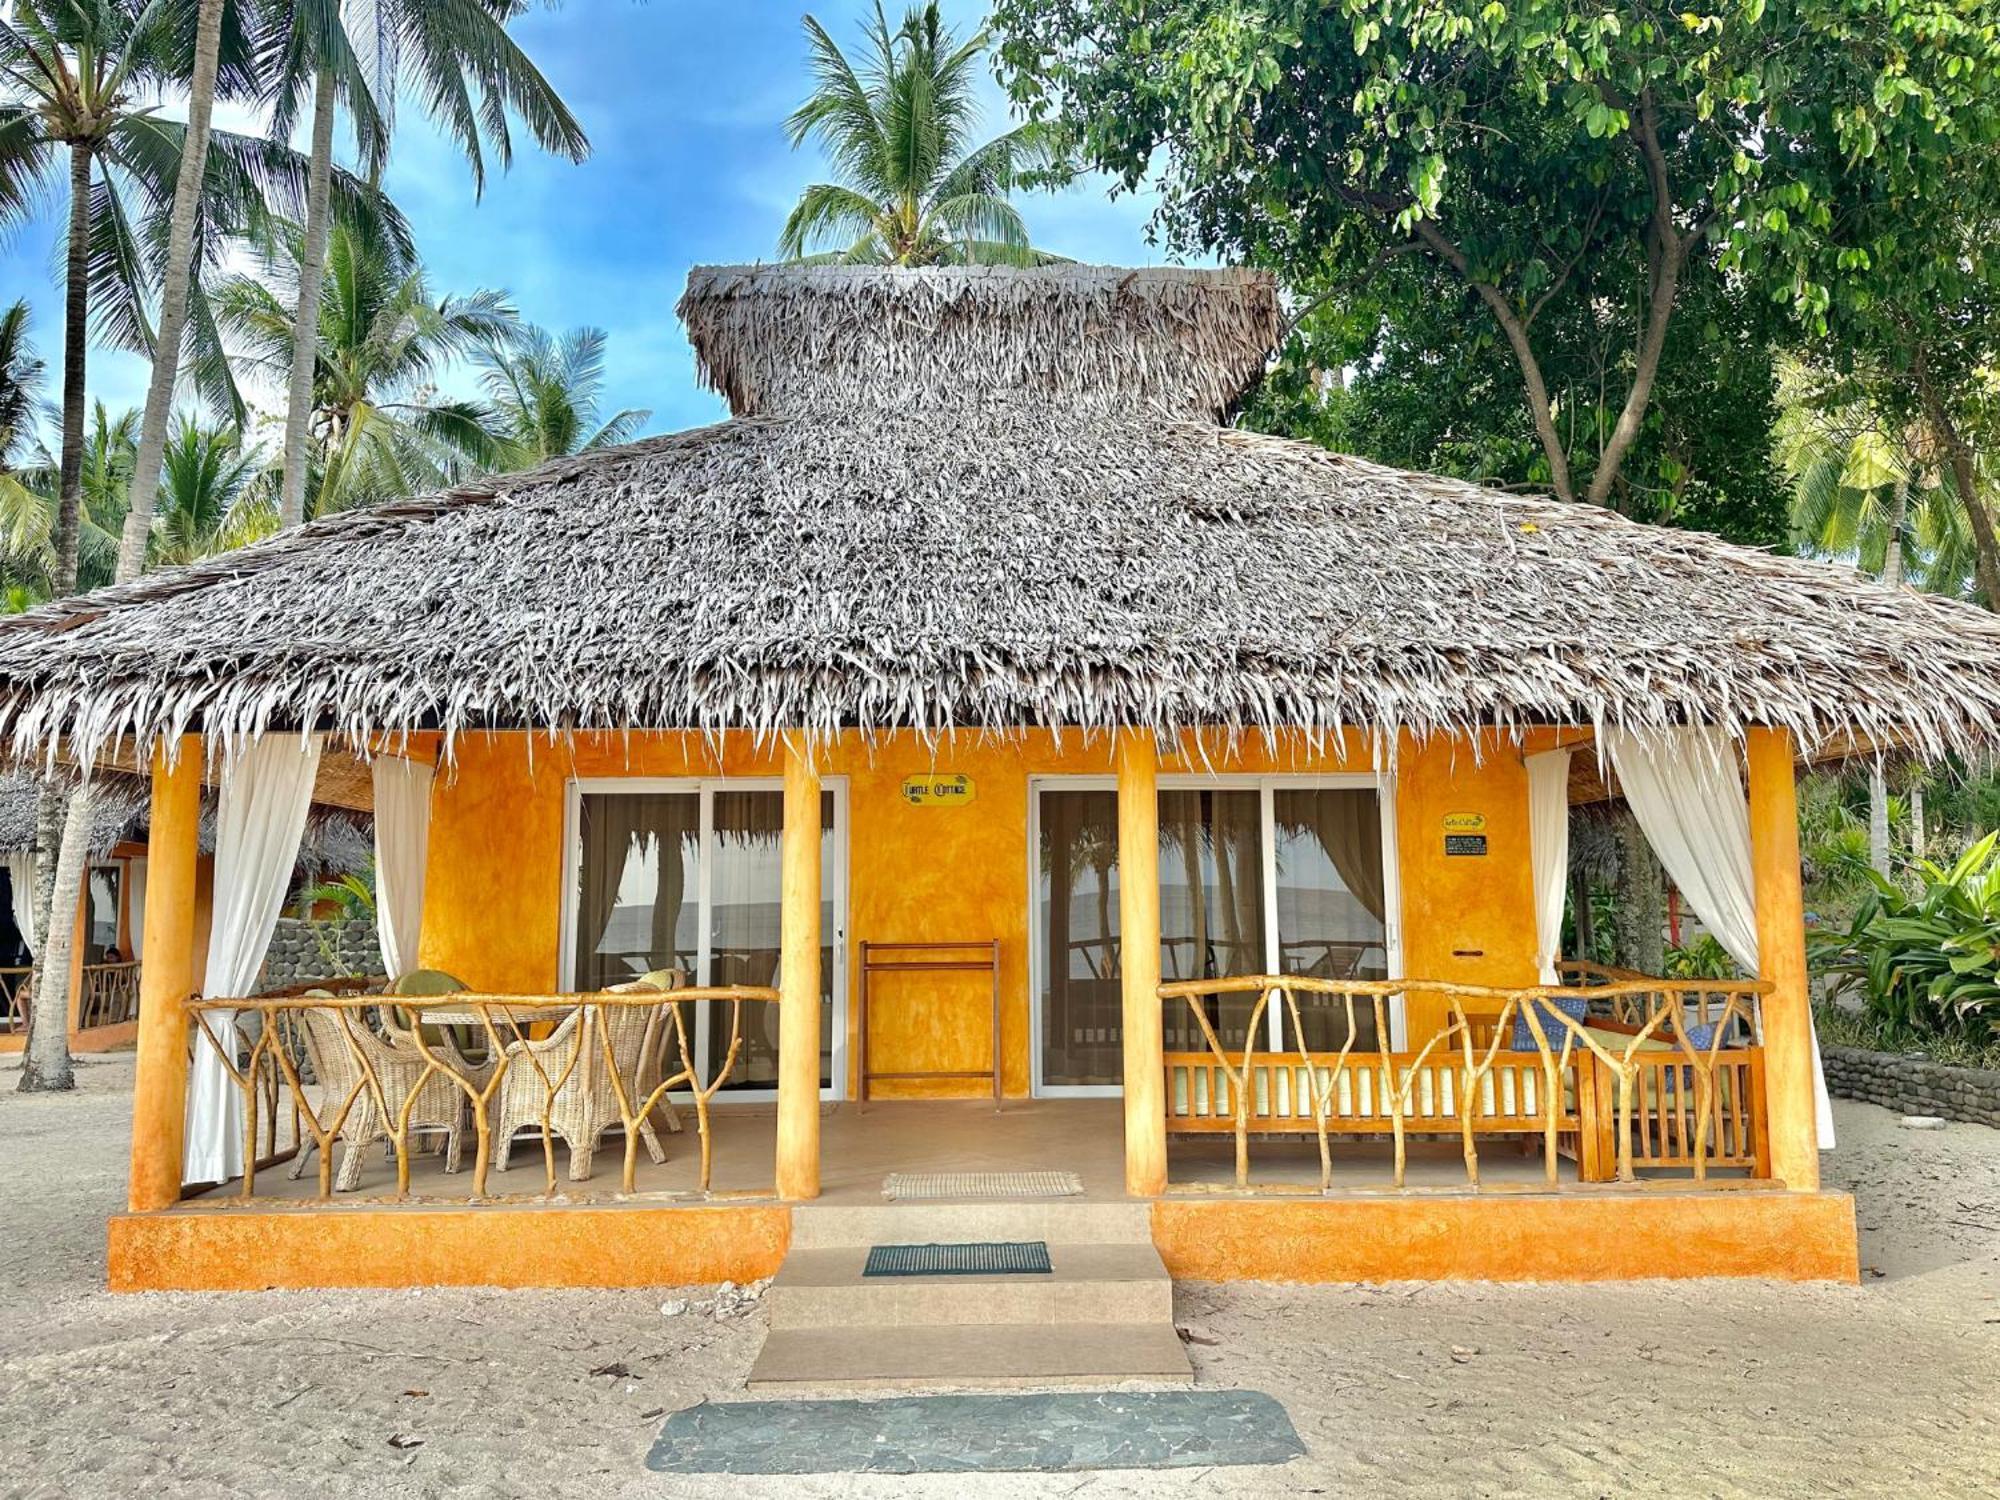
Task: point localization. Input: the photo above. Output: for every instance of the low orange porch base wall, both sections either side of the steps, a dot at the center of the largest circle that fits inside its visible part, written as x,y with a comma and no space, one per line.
1495,1237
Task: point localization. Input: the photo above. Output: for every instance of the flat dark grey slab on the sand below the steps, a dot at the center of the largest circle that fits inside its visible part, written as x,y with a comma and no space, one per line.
1059,1433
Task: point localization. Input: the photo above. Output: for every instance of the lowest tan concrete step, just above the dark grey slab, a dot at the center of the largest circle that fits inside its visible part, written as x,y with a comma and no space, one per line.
977,1357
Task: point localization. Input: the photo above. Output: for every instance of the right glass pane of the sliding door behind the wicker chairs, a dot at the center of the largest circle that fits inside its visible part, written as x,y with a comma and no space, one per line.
745,929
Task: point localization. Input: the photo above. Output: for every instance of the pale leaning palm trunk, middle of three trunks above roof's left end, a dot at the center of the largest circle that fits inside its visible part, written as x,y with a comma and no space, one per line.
175,295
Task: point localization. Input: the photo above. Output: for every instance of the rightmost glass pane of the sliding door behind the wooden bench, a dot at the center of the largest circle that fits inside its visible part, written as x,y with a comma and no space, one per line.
1331,895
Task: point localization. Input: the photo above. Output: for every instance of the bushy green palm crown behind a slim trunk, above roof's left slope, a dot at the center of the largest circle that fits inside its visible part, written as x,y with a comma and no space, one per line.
375,427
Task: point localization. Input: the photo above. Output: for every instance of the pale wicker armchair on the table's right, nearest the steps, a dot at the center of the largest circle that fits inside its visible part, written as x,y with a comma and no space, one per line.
585,1105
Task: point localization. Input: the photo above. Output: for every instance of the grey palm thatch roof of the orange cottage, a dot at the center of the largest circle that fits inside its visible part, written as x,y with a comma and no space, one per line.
991,499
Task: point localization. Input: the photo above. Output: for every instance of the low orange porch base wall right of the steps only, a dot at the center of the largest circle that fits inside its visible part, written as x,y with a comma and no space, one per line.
1793,1237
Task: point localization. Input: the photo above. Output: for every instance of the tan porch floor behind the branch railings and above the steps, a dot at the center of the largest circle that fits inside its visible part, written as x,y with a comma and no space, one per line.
863,1145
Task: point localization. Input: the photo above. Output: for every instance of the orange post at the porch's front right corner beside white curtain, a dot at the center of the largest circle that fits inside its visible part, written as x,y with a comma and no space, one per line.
1781,939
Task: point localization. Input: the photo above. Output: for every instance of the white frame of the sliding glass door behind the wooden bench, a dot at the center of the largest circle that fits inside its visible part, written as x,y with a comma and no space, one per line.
1267,787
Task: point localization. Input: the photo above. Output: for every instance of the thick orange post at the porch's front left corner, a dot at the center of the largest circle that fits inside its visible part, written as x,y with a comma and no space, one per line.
167,979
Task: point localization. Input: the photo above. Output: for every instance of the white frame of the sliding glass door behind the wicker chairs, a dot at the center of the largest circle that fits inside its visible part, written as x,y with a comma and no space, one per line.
705,789
